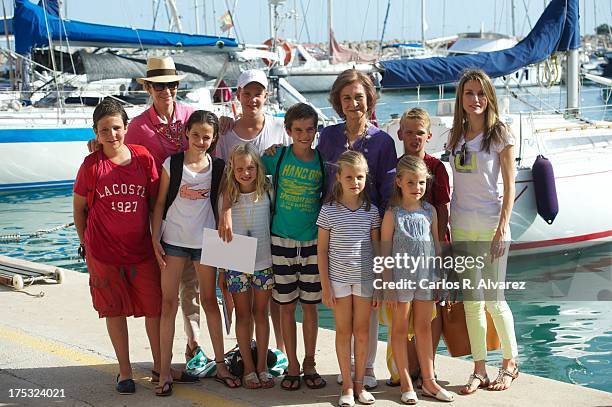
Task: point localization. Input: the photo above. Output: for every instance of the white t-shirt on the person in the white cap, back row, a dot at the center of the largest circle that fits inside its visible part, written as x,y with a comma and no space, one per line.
272,133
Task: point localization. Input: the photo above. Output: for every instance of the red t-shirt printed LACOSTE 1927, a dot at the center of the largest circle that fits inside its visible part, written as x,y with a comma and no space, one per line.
117,230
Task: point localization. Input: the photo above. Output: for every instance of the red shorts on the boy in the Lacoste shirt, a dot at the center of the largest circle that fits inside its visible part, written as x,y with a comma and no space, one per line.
124,291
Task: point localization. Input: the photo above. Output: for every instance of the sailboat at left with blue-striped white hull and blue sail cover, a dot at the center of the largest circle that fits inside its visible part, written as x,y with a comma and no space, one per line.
43,147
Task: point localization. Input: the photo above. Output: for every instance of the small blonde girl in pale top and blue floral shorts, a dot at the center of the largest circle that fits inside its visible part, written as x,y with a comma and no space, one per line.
249,191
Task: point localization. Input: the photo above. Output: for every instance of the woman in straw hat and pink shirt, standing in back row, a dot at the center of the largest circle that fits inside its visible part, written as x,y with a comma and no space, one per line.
161,129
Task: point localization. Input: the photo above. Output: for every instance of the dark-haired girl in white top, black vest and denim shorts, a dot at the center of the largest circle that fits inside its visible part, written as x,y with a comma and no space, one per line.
182,211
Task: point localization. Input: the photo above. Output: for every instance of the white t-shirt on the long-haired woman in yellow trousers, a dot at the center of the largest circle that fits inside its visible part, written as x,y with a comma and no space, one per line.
477,198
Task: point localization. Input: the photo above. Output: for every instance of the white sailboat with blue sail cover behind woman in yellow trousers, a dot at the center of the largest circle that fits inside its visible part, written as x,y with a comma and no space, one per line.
579,149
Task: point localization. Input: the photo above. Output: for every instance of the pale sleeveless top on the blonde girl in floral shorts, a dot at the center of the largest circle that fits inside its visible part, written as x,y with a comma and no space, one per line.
252,219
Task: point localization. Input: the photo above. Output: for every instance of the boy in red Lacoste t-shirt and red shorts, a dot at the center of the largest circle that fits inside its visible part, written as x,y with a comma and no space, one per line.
114,189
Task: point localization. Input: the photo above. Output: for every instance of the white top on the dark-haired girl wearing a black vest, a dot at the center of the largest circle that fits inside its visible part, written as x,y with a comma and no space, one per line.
191,210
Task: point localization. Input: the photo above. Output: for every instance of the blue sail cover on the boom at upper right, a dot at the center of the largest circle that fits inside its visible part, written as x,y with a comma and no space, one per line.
557,30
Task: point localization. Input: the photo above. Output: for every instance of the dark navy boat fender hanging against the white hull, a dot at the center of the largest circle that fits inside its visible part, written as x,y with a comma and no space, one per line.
545,189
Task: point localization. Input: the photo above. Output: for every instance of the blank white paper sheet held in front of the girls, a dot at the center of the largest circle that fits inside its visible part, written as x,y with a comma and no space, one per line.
238,255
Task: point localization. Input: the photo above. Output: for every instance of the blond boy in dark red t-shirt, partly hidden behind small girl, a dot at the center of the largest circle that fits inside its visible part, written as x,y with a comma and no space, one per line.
415,132
